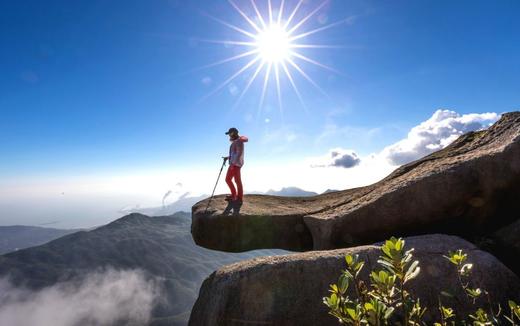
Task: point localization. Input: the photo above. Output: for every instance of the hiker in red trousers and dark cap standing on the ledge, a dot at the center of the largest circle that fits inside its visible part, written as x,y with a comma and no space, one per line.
236,160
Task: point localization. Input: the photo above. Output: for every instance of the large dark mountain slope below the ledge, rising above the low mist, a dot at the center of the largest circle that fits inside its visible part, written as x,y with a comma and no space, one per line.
161,246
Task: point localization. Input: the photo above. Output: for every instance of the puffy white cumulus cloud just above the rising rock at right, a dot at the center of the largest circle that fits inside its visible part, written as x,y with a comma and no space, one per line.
436,133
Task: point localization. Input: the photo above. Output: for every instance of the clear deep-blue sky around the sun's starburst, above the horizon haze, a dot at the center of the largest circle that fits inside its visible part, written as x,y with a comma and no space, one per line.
90,89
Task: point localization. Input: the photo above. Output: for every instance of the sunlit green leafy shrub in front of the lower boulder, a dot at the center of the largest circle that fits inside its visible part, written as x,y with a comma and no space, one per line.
385,301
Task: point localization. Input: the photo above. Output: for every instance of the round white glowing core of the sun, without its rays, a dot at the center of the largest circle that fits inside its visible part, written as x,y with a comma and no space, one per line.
273,44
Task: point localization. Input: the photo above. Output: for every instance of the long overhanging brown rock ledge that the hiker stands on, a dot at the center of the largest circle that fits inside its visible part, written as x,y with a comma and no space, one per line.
470,188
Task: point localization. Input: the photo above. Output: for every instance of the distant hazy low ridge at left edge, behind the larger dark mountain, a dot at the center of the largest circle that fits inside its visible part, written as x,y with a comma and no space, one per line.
18,237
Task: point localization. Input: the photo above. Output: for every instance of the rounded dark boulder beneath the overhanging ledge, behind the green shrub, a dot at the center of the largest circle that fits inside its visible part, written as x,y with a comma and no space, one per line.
288,290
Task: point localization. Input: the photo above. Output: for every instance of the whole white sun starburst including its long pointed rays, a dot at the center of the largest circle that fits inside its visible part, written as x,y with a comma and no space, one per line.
273,41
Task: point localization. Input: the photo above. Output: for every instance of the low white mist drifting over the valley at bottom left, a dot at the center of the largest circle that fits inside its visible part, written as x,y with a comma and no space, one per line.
101,298
